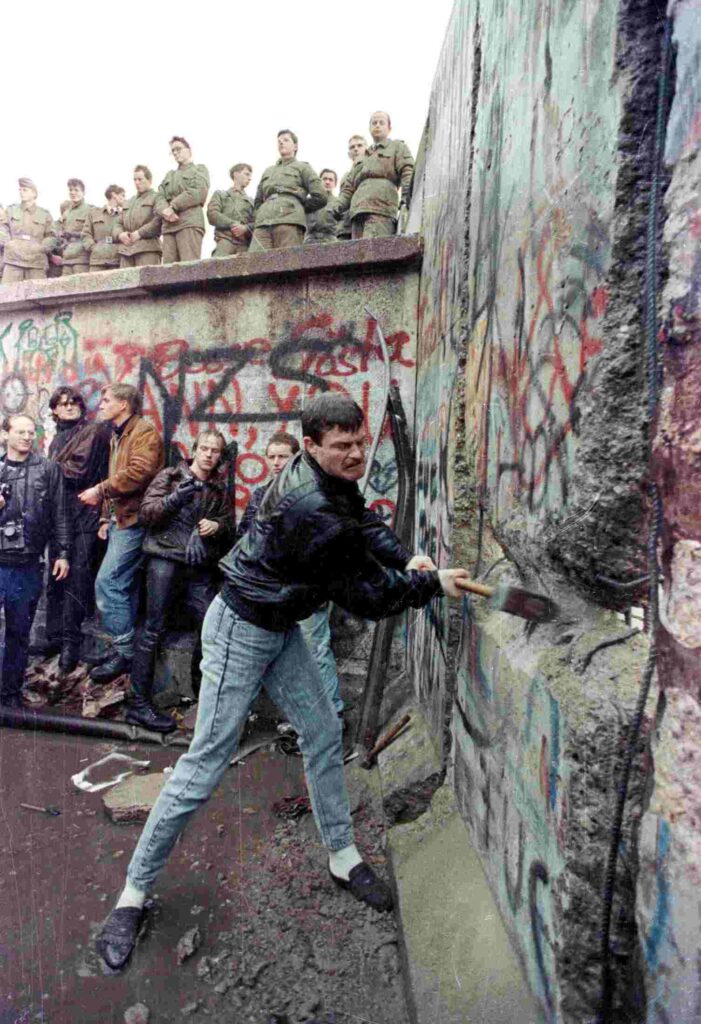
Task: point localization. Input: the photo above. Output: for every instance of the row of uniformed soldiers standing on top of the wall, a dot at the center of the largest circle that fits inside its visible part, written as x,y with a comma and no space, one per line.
293,205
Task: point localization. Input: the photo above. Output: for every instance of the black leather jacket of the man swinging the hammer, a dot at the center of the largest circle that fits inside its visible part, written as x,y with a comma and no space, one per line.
314,540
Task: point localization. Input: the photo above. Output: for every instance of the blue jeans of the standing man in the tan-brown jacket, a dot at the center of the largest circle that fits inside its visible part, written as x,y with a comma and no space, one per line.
117,594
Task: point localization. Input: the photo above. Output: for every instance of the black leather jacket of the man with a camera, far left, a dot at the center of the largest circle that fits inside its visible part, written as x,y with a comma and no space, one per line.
46,515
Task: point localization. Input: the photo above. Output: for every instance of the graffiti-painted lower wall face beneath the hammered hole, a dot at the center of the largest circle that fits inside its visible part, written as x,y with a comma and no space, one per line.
513,795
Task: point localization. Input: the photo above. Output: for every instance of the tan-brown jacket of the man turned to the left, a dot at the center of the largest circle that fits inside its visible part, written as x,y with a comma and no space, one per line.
136,458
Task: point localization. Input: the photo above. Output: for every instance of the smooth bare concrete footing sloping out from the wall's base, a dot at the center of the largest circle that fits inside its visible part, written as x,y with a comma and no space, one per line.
459,962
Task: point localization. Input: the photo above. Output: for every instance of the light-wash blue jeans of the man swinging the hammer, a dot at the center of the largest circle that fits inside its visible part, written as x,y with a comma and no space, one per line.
238,660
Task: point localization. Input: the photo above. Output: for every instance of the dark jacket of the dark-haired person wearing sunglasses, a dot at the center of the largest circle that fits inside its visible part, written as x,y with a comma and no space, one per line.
81,450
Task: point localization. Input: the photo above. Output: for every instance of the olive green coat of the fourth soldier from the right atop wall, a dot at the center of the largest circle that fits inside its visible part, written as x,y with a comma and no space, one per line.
288,191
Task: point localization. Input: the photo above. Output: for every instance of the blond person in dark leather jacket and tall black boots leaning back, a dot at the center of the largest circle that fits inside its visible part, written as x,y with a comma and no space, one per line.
190,527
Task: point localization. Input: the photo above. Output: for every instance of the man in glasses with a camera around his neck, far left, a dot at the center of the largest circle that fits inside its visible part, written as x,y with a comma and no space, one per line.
32,513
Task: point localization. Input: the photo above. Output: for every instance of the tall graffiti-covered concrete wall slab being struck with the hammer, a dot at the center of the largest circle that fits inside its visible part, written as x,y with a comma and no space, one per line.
532,430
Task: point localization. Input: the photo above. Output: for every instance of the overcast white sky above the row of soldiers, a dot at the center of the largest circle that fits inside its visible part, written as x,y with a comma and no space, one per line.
100,88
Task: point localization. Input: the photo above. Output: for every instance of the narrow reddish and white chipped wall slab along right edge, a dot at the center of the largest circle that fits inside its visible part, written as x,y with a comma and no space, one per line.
669,902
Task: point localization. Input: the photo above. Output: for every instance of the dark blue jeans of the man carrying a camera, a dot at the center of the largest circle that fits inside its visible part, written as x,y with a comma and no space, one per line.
20,590
